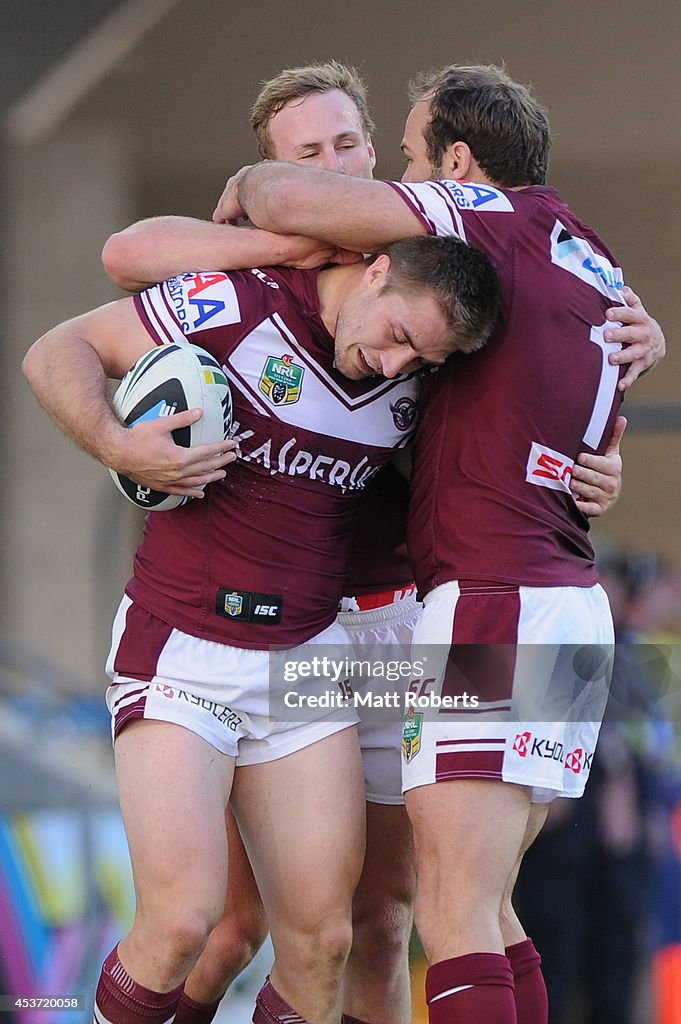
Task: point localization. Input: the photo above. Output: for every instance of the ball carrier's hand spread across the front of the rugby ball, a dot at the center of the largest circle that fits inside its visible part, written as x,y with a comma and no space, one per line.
148,454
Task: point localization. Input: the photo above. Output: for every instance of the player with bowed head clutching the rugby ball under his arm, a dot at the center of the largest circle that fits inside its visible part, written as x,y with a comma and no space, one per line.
192,696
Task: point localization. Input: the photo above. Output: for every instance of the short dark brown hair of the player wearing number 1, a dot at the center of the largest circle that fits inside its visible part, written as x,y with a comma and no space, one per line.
504,125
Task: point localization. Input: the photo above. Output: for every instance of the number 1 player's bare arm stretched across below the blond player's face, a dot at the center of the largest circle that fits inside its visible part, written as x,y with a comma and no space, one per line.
353,214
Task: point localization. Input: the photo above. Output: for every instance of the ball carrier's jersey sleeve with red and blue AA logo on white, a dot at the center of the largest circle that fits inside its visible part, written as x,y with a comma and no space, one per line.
191,308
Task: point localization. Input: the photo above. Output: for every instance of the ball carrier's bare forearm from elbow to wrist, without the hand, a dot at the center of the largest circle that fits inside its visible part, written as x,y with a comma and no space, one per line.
69,381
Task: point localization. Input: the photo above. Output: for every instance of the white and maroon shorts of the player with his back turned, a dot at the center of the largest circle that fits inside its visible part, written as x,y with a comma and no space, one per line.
520,682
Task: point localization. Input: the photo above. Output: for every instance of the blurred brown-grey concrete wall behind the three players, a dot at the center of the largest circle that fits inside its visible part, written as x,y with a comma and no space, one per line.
118,111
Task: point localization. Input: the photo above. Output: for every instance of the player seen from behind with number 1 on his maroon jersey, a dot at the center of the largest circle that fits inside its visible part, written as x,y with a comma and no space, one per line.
502,557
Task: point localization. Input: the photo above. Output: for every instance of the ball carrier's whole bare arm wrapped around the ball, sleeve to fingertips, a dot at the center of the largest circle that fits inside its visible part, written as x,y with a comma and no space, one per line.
68,370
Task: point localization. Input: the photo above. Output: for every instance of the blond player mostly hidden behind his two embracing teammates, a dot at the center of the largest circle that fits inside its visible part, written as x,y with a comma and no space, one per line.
303,116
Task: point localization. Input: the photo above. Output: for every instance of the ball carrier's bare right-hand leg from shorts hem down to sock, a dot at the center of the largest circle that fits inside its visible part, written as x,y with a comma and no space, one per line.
303,819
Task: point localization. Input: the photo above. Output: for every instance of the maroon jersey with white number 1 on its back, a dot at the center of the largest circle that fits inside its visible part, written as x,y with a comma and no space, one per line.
500,430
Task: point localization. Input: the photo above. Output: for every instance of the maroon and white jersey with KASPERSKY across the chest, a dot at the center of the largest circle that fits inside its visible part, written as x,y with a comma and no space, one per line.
262,560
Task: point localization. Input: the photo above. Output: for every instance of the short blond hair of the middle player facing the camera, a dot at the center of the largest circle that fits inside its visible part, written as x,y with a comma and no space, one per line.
293,83
